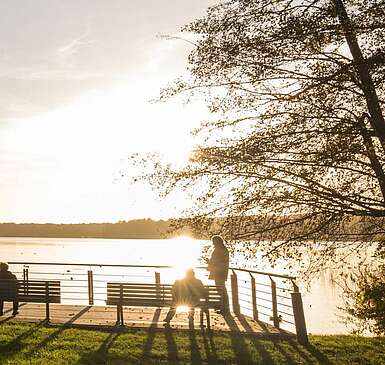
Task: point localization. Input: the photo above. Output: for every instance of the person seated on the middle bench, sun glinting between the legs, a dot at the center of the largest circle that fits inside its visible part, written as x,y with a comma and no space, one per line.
187,291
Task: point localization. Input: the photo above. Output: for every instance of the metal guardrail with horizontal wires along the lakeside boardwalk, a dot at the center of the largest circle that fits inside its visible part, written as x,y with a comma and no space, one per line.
266,297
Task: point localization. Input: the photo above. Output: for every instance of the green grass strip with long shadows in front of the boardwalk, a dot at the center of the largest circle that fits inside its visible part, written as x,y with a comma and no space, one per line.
36,343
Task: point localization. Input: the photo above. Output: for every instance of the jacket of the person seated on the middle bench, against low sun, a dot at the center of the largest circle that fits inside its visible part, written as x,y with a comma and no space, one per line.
188,291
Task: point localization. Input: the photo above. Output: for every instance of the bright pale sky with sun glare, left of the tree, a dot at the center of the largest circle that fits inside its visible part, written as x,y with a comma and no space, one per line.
77,78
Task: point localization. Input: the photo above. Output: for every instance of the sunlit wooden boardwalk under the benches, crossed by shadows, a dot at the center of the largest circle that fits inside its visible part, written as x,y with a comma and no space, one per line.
137,317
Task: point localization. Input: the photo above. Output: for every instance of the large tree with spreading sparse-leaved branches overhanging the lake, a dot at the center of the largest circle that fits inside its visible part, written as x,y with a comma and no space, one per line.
298,148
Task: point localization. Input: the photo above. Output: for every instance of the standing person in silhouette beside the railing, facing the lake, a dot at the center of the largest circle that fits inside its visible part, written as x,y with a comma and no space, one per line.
218,266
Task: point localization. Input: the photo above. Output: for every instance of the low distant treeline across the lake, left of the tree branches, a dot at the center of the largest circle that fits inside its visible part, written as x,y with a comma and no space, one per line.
139,228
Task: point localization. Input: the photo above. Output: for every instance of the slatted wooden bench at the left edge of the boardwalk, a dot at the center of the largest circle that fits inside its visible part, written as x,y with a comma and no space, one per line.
31,291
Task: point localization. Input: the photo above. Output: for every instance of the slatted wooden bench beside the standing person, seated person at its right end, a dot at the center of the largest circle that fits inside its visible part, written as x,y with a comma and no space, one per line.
156,295
